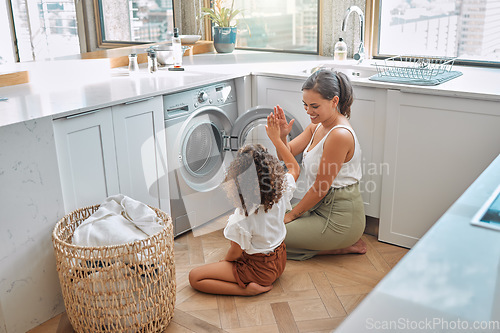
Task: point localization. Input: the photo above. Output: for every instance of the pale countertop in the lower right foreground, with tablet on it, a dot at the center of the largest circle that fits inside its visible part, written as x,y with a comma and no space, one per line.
450,278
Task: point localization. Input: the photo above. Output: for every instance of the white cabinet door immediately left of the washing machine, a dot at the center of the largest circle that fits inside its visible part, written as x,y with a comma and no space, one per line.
140,151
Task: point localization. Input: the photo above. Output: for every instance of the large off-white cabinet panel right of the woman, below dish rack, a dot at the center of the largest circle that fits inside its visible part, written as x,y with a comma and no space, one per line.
435,148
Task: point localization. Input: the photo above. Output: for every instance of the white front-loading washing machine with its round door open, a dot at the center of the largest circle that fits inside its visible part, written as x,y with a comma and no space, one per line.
203,133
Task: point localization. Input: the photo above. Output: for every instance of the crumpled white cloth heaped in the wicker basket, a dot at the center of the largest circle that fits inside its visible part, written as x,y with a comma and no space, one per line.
118,220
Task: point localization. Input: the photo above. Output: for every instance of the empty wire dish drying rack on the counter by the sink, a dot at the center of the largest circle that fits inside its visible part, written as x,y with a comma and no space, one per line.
415,67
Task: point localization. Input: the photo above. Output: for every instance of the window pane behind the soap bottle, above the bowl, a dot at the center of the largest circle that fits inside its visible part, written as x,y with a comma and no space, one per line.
134,21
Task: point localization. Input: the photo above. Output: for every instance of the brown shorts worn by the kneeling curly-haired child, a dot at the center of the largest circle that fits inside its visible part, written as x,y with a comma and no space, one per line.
260,268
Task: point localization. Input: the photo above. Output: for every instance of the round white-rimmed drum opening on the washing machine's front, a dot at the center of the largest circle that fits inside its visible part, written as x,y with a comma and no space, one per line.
201,156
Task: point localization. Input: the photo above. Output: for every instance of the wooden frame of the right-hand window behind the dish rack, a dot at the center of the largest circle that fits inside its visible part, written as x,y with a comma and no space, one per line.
372,32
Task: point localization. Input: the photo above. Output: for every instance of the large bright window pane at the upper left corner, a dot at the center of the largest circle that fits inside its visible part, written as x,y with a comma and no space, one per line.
45,28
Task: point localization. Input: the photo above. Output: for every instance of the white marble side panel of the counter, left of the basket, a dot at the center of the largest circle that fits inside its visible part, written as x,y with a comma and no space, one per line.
30,205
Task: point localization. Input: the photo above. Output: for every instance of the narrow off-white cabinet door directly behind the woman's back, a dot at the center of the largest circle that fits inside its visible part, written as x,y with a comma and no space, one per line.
368,121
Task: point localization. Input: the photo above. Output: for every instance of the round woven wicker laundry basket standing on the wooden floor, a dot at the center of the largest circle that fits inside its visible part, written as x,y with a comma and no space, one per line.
122,288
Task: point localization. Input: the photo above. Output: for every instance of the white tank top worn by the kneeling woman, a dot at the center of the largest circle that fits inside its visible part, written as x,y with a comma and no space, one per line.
350,172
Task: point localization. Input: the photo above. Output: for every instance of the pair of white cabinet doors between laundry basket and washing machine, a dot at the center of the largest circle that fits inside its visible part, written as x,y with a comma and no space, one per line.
113,150
